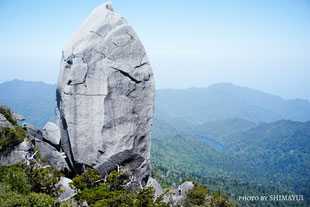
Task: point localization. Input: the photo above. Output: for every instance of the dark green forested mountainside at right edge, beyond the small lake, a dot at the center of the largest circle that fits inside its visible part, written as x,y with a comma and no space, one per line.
281,149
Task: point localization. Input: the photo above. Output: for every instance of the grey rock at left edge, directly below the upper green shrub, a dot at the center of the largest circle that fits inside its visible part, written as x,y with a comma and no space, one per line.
17,154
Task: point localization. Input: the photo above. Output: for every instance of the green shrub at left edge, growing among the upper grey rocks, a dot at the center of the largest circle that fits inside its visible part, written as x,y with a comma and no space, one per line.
10,137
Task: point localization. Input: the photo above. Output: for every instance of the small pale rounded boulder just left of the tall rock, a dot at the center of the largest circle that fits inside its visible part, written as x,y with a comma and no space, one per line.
51,134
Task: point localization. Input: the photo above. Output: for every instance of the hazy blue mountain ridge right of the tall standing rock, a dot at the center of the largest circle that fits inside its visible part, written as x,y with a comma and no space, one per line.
226,101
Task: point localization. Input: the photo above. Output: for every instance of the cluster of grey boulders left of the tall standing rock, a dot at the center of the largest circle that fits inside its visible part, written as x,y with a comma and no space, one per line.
25,151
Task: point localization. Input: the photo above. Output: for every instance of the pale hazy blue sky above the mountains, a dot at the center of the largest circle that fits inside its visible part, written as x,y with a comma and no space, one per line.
261,44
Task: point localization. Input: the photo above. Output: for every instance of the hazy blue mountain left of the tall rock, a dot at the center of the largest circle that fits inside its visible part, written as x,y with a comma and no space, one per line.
34,100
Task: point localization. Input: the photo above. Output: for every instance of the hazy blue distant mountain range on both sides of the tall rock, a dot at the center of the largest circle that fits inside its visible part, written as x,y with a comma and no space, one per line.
36,101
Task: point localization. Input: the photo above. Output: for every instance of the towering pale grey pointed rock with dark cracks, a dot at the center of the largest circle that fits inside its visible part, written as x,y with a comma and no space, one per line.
105,95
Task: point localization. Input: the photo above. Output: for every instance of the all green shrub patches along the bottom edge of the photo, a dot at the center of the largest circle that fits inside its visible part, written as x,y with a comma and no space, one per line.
30,185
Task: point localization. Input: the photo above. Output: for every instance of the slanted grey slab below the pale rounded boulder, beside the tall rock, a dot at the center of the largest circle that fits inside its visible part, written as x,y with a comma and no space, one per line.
52,156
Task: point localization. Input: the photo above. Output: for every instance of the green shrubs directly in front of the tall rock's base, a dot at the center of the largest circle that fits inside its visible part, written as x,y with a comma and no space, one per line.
112,190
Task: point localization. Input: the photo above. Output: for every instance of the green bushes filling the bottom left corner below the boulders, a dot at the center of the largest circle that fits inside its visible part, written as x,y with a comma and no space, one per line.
28,186
